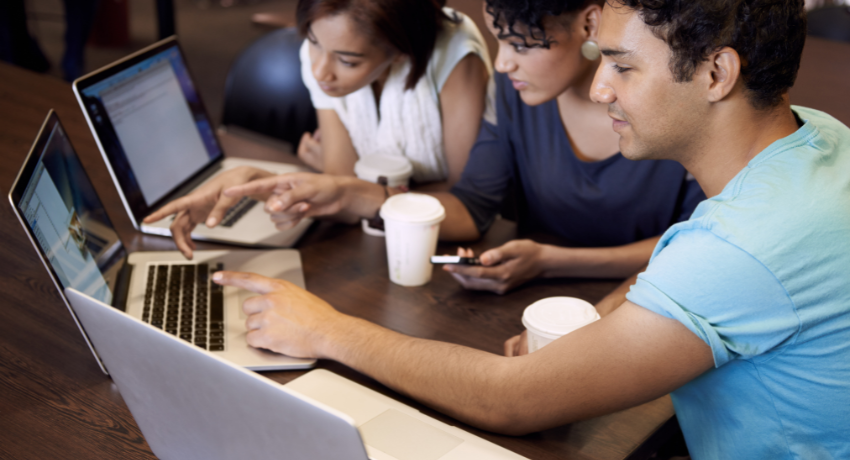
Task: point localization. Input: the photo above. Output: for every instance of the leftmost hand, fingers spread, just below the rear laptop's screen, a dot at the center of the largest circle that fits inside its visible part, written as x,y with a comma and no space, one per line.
205,204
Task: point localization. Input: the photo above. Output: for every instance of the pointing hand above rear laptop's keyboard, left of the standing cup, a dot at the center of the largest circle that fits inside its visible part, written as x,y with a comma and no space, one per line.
293,197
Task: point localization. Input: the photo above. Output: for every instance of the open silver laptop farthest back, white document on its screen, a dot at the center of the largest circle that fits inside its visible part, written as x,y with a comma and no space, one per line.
159,144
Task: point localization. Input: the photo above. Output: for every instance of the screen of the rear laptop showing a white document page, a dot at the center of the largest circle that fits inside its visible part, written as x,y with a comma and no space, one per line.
150,123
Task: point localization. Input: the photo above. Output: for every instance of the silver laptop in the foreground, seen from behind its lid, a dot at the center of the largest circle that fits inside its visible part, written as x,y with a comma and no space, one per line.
189,404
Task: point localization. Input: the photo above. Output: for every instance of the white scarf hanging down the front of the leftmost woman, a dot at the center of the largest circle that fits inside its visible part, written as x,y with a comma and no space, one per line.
409,123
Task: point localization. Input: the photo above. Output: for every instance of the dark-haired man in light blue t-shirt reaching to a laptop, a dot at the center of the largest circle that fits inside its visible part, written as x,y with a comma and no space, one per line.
744,311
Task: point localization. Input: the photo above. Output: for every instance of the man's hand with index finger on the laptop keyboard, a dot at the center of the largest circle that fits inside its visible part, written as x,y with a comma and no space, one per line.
284,318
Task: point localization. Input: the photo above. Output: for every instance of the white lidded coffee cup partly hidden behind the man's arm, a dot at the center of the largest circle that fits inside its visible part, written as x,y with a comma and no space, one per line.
548,319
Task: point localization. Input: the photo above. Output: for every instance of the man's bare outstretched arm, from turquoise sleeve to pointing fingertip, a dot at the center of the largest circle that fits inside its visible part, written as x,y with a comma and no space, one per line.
629,357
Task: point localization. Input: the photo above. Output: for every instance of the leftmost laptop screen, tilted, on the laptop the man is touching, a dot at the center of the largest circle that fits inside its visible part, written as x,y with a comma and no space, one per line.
65,218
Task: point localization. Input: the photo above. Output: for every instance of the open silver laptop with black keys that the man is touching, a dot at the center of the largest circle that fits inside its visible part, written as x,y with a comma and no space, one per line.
72,234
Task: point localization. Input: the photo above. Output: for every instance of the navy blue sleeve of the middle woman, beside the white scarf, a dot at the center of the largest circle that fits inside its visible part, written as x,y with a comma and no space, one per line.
485,179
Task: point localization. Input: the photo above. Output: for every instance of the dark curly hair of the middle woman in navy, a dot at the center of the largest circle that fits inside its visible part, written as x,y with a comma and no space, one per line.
507,14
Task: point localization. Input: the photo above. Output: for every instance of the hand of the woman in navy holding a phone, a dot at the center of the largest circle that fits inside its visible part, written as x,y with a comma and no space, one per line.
502,268
